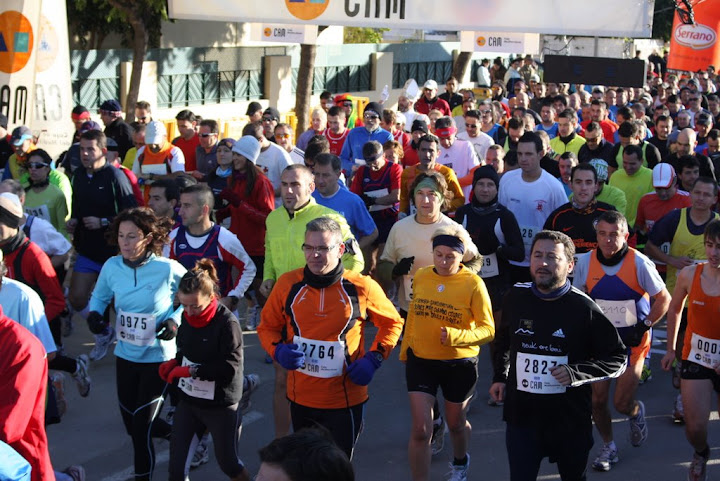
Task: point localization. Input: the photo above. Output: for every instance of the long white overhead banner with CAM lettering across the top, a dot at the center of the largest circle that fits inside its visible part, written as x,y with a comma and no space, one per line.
612,18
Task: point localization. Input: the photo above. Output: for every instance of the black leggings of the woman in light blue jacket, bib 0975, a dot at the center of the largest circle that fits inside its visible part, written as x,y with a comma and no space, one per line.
140,394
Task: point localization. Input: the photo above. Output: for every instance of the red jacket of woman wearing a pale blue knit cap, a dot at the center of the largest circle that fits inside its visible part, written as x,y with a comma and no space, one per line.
247,221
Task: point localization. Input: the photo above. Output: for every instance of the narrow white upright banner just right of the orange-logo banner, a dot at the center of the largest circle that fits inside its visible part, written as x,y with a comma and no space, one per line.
53,89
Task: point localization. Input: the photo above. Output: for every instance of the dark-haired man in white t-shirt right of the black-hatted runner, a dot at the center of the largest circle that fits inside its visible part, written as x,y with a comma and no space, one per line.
531,194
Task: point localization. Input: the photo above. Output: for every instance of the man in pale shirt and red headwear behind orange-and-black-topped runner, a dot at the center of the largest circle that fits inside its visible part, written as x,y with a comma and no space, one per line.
457,154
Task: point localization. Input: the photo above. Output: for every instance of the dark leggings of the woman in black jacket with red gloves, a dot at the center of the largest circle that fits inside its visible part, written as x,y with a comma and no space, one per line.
225,426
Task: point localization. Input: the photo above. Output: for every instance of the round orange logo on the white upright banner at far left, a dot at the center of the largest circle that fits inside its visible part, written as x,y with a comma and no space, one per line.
16,41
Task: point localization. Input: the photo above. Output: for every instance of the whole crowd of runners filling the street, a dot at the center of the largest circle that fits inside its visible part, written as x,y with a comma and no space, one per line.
557,224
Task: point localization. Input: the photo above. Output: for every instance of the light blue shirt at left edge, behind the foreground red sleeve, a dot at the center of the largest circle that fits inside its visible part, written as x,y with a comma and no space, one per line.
24,306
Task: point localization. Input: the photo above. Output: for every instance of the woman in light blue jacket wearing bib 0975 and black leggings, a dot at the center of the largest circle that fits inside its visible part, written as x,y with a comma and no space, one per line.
143,286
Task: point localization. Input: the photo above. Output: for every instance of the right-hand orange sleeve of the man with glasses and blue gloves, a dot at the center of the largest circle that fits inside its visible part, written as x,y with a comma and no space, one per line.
382,313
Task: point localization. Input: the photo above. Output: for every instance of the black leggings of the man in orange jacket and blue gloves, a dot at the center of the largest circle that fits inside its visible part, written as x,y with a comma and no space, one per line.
344,424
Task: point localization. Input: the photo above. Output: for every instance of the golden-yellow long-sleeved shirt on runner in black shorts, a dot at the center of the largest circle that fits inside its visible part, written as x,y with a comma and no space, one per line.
460,303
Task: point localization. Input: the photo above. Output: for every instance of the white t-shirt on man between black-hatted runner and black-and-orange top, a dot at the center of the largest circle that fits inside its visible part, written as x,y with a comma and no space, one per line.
531,202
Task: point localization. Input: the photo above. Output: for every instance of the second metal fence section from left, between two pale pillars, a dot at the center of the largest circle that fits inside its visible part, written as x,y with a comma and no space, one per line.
182,90
